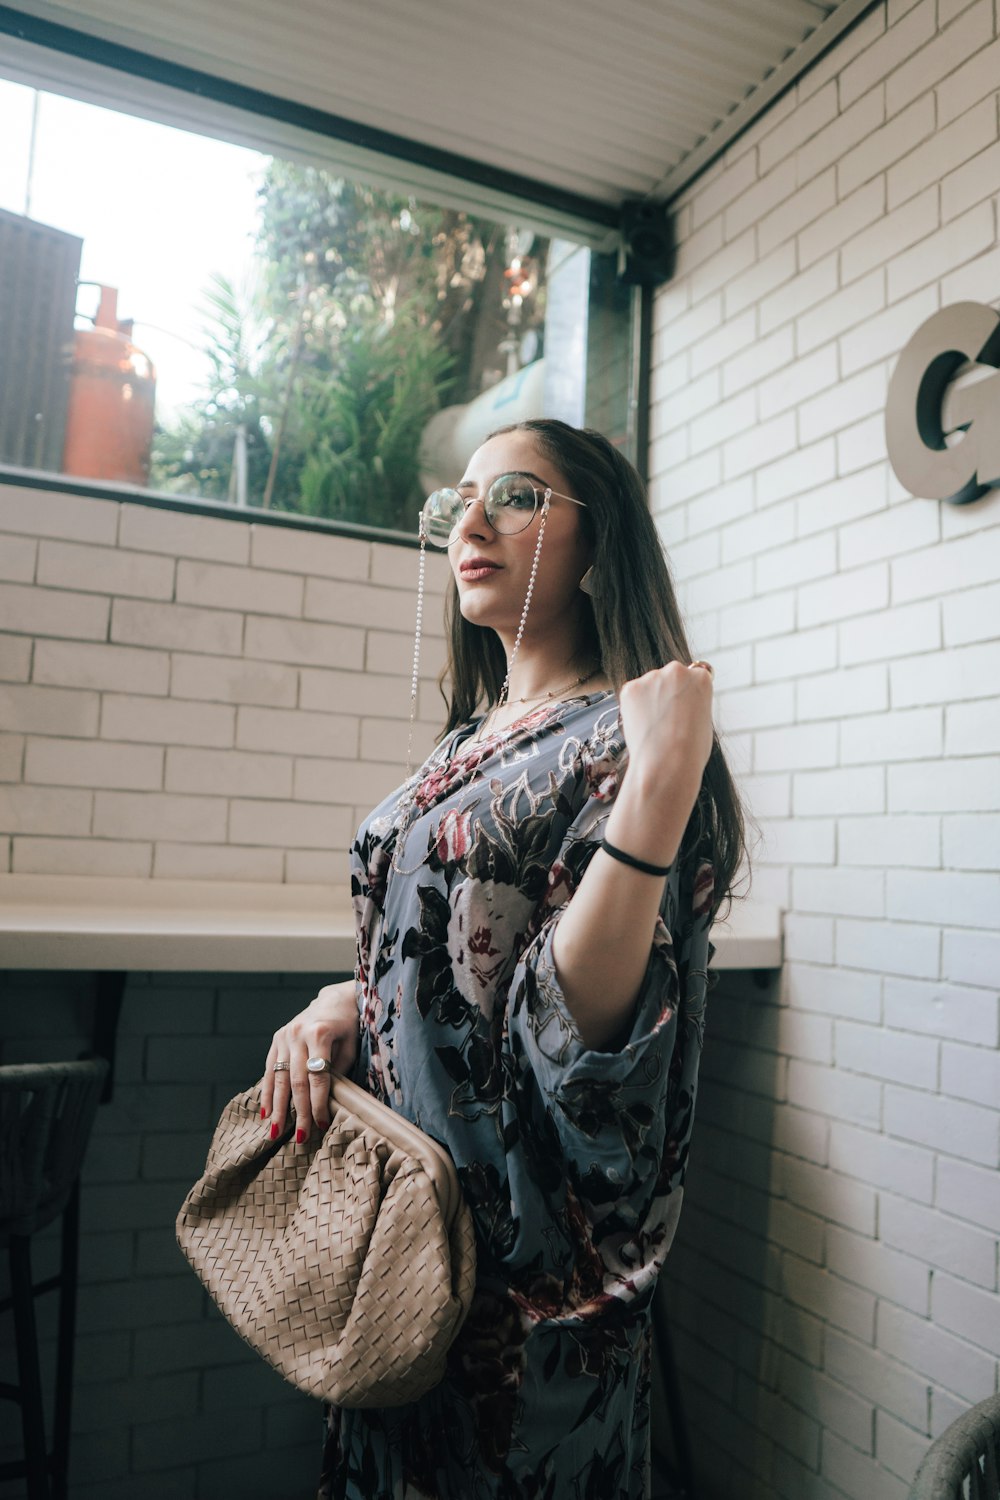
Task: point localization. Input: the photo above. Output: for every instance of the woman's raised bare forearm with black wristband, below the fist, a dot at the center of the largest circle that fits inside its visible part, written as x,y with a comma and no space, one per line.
602,943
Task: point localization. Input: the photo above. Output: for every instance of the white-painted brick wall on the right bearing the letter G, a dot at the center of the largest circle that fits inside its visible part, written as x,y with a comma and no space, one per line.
836,1301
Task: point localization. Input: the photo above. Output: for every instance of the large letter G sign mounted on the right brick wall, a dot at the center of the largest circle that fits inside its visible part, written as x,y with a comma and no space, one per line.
915,422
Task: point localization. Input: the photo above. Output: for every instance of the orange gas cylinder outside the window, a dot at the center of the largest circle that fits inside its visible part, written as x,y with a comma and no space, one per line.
112,395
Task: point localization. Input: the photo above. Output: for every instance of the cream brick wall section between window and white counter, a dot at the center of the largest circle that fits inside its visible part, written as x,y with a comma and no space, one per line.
188,695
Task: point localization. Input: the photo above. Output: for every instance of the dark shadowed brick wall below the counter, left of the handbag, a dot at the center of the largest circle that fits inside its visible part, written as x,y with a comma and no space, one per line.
169,1405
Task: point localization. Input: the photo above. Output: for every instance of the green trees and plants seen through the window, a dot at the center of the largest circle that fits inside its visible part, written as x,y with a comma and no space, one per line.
368,310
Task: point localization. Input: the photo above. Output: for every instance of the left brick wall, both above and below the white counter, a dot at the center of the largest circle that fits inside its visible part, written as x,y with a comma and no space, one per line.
184,697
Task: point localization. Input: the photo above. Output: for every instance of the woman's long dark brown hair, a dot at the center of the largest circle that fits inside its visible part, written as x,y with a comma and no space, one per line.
633,620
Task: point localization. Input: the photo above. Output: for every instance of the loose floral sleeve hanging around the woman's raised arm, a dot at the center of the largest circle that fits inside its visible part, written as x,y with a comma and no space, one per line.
620,1120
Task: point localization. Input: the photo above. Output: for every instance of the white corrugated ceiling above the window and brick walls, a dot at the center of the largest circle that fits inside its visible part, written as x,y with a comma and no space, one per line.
605,101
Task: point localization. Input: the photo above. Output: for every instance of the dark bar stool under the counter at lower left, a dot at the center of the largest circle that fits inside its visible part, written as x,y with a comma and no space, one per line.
46,1117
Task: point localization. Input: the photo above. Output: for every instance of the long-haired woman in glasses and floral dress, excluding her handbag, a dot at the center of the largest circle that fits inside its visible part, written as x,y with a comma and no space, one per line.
534,914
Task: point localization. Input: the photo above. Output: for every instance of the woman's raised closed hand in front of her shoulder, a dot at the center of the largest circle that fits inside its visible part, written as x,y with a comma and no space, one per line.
668,721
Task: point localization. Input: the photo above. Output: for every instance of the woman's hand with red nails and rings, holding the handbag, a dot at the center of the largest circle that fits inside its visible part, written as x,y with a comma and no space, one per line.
328,1028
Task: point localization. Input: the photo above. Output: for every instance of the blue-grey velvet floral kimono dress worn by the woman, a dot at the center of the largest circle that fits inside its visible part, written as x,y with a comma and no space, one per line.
572,1160
